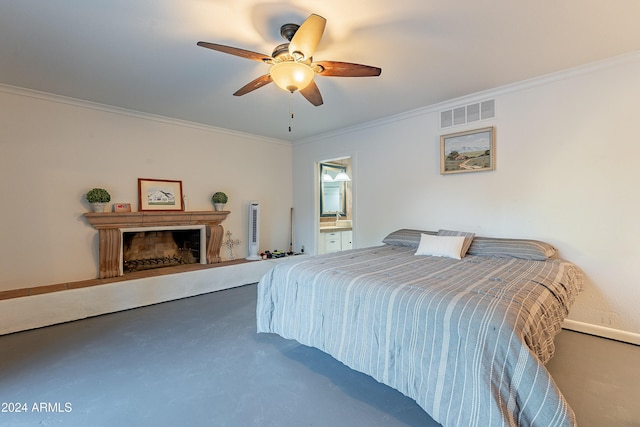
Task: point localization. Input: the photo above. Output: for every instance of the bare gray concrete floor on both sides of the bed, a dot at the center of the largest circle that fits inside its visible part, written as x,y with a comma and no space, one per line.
199,362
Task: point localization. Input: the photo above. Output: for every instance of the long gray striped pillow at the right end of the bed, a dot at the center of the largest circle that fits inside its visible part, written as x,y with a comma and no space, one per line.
512,248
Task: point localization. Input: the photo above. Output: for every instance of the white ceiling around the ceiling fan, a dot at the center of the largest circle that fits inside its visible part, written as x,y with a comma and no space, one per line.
141,55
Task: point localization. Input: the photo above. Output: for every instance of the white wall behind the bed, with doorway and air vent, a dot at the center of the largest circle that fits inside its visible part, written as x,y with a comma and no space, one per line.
567,173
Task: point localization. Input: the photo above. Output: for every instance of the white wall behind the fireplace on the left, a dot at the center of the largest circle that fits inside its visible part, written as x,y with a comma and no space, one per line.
52,150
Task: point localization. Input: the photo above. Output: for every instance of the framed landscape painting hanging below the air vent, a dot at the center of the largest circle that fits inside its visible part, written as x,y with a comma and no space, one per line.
468,151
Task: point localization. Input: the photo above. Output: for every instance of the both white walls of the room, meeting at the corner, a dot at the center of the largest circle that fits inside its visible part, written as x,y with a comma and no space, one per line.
566,152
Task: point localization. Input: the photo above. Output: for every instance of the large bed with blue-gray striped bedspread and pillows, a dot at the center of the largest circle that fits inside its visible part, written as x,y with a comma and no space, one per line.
466,338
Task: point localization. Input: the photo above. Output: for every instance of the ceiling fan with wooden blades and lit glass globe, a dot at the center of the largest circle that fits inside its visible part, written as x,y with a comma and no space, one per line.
292,65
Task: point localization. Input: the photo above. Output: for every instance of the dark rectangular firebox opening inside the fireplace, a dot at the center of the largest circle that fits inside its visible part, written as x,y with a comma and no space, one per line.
145,249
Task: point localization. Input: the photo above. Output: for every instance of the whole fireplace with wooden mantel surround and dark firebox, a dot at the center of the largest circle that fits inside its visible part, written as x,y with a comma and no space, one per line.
114,226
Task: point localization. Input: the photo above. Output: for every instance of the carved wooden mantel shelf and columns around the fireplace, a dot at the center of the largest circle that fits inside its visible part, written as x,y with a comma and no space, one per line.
109,226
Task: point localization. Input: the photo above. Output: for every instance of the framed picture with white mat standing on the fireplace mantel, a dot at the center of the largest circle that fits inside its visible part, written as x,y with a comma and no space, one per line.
159,195
